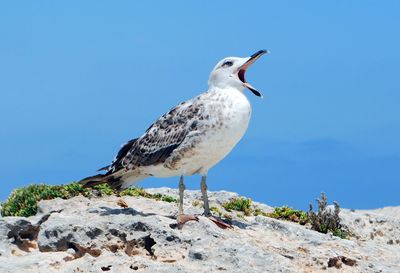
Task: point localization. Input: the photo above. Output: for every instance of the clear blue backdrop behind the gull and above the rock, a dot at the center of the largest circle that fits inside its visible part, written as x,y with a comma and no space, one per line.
78,79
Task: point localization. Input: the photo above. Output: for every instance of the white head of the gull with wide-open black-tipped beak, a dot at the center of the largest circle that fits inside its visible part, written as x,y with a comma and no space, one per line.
230,72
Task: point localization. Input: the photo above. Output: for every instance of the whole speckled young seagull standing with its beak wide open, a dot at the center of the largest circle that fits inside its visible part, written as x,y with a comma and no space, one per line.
189,139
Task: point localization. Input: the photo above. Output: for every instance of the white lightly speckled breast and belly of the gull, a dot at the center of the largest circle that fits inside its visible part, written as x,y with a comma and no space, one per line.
229,113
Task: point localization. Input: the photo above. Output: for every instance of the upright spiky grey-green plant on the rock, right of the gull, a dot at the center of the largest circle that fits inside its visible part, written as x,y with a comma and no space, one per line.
327,220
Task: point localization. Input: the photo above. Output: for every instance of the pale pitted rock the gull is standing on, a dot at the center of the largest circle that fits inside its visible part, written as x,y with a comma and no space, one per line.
98,235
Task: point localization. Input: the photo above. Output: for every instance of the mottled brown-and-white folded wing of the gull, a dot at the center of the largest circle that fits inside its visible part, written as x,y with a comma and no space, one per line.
160,139
